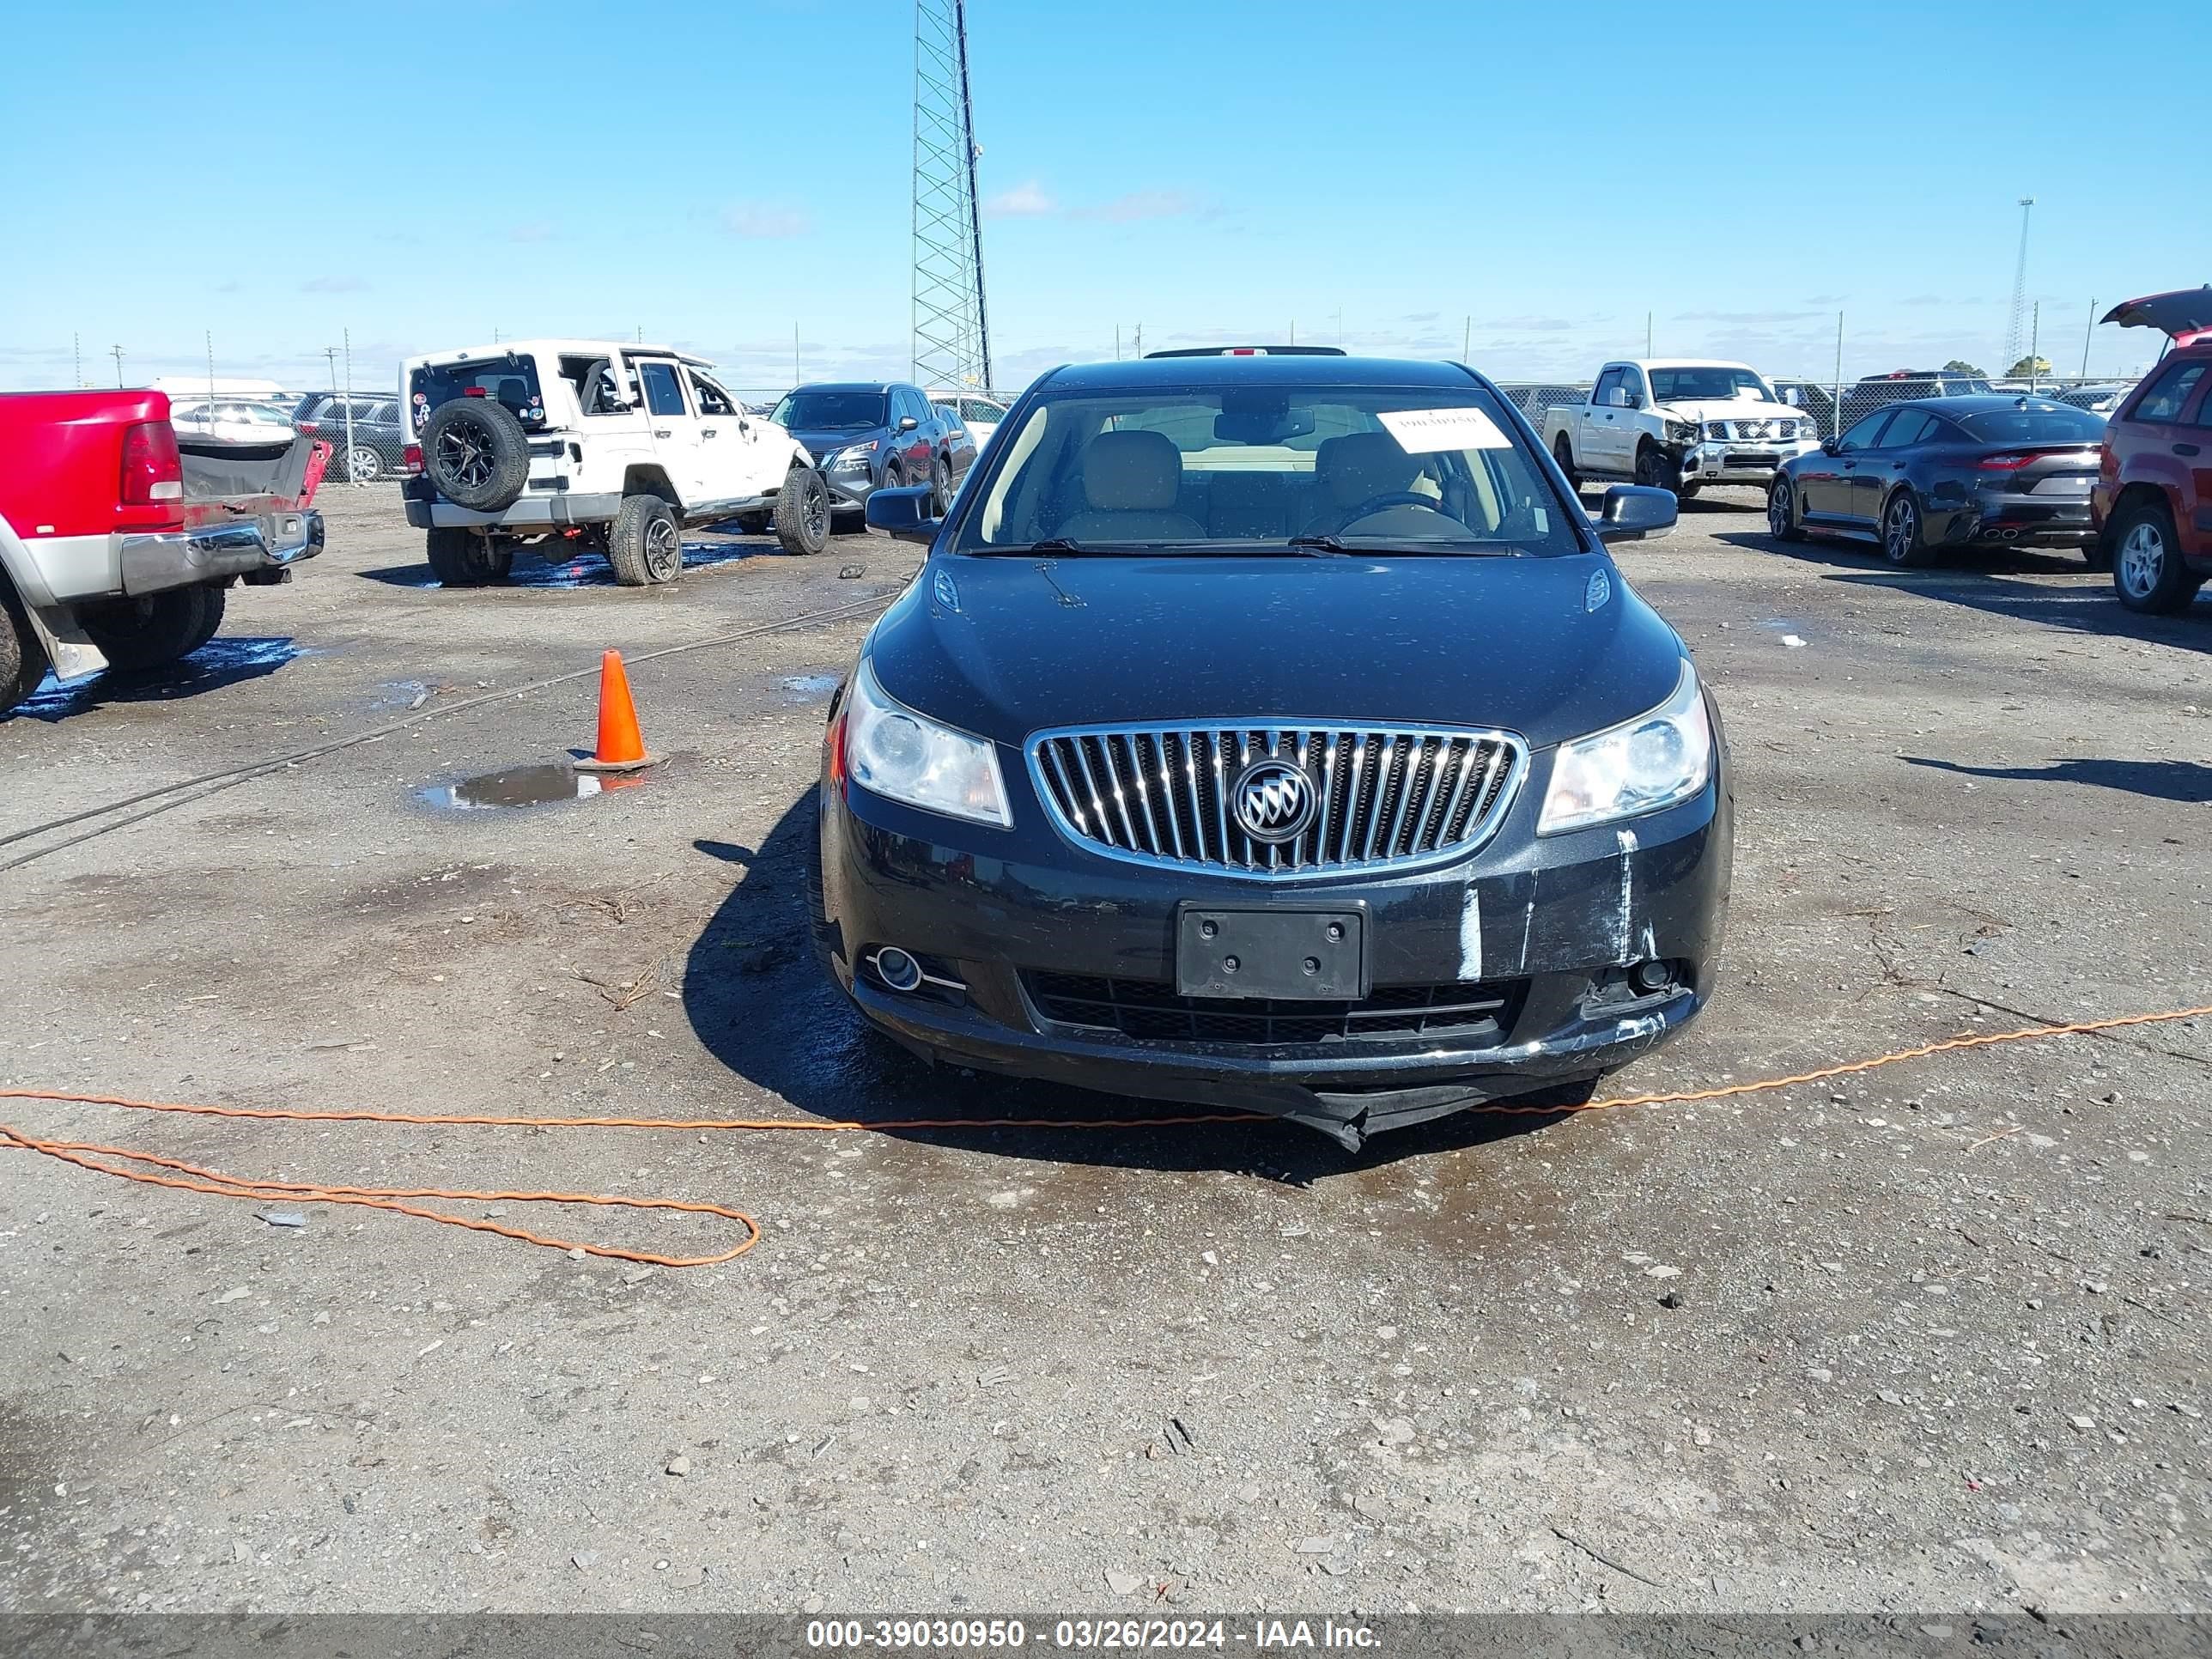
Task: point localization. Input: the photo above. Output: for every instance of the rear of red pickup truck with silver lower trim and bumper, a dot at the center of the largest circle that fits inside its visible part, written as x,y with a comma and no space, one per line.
118,545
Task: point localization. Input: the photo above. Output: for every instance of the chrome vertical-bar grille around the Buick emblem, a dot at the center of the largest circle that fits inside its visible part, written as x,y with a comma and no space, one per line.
1384,795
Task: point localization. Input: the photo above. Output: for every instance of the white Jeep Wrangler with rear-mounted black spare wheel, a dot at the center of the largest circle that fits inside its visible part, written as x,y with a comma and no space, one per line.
592,446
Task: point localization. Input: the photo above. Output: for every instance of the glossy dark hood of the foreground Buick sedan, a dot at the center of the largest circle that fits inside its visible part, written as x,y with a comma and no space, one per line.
1008,647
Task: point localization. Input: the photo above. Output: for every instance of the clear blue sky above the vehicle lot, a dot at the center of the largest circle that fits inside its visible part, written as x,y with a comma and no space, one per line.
720,174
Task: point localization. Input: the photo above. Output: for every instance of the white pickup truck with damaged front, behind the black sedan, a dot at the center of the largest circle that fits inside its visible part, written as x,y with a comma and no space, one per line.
1678,424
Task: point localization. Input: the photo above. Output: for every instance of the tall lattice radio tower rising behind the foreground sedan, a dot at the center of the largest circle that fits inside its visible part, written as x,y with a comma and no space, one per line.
952,337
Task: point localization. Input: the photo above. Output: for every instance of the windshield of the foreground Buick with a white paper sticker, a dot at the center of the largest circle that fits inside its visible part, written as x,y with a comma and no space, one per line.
1249,470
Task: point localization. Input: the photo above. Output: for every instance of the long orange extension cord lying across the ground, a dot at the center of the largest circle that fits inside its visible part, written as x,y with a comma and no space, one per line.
191,1178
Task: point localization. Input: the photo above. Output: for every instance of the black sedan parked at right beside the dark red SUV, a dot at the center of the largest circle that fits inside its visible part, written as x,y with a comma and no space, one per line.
1948,474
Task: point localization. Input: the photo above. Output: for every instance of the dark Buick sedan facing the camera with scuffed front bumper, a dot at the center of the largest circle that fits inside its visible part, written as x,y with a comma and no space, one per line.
1275,733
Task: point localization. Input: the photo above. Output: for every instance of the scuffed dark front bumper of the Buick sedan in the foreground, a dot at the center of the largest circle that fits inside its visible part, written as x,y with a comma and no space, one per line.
1550,924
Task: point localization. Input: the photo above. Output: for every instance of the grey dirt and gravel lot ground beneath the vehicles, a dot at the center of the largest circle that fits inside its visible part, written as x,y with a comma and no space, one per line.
1934,1339
